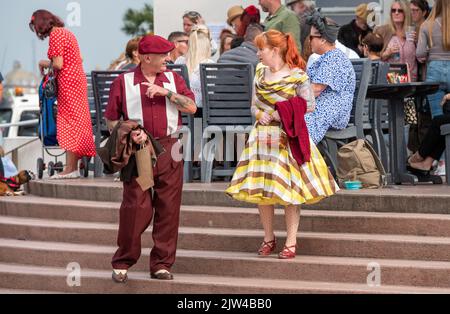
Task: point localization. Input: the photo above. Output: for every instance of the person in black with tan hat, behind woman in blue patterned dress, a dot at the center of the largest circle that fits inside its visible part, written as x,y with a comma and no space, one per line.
350,34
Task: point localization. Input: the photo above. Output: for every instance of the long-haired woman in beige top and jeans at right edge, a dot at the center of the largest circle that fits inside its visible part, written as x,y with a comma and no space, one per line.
434,47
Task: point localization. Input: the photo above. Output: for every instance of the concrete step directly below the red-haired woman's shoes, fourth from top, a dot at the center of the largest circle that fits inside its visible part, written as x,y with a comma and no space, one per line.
236,264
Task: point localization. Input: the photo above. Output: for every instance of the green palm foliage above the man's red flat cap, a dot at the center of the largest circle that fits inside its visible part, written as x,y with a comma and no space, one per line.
138,22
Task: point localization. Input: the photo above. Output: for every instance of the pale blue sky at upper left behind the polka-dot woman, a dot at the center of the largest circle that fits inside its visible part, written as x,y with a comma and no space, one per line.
98,32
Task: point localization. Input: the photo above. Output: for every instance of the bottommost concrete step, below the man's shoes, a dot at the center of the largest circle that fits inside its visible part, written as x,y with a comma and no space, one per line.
94,281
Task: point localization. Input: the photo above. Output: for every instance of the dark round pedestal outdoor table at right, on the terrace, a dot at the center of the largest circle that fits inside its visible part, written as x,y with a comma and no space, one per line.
395,95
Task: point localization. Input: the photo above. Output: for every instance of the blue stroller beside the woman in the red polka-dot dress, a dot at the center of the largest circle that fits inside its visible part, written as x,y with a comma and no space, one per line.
47,129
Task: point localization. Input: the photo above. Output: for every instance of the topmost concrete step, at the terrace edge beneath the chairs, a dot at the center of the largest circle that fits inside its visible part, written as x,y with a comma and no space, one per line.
405,199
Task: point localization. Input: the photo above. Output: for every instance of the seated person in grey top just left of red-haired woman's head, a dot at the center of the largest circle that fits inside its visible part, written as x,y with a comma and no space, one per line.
246,52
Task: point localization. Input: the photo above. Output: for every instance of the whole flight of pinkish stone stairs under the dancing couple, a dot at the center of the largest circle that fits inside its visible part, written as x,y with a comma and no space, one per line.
403,231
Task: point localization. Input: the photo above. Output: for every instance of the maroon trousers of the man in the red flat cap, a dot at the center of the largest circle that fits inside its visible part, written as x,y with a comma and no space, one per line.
138,208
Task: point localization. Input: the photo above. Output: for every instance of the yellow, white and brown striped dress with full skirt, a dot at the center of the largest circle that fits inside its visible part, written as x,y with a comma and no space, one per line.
267,175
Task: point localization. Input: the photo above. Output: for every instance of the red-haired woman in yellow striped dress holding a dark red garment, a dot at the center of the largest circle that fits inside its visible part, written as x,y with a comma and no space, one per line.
269,172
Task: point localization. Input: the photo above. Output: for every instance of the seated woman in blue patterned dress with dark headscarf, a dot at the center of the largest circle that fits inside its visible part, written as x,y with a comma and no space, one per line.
332,77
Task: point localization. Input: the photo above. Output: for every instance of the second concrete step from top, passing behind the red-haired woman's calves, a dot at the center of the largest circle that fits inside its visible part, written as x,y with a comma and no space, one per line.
238,218
